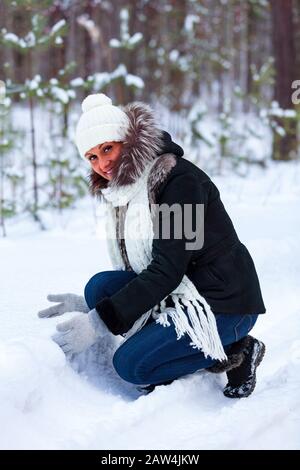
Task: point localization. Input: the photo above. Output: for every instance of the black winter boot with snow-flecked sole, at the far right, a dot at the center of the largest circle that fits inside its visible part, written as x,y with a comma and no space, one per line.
242,379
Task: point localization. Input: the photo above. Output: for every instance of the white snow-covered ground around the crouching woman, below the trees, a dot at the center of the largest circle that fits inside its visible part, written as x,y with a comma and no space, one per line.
48,403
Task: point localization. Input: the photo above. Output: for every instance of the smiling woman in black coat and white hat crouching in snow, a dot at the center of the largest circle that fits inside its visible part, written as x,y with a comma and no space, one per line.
181,305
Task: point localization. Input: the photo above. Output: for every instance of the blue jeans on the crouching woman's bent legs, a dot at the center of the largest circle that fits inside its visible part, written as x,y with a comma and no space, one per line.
153,355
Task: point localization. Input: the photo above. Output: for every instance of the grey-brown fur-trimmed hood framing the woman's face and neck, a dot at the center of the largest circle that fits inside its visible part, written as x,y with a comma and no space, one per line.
143,142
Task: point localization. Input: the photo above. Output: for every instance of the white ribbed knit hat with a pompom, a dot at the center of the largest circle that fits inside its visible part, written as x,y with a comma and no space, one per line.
100,122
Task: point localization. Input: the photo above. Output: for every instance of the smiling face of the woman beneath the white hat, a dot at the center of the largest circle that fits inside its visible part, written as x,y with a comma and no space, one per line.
103,157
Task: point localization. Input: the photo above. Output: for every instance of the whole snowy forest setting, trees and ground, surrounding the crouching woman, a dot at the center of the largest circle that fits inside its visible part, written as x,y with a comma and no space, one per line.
223,77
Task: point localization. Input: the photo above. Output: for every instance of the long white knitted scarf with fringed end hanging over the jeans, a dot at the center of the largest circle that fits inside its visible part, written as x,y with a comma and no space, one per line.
138,235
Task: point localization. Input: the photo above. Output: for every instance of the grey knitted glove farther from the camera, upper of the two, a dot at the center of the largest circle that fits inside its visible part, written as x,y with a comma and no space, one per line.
69,303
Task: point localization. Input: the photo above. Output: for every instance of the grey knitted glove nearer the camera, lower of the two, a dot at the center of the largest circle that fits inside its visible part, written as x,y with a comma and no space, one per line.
79,333
